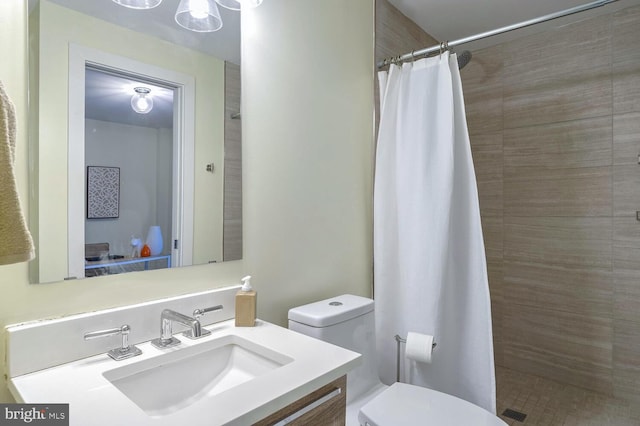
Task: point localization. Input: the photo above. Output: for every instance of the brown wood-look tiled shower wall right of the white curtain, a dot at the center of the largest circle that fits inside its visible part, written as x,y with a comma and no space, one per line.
554,121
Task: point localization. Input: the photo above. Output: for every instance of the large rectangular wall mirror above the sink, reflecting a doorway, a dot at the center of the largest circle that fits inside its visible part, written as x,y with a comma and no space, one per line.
105,177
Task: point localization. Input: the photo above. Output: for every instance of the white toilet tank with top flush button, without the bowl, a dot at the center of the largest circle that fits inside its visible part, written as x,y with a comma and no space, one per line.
347,321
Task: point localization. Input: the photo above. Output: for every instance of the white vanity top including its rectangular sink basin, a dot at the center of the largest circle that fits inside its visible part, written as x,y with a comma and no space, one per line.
234,377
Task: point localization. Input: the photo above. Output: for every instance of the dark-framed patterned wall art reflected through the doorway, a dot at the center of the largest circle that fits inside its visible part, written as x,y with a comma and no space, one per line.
103,192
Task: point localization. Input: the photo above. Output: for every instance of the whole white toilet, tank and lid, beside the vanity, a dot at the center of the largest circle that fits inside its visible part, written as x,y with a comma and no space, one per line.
348,321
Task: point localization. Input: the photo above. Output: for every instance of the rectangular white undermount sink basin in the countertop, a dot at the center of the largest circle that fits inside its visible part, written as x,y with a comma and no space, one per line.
170,382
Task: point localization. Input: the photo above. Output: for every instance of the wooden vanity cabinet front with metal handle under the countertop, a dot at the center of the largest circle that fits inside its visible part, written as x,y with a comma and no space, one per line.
325,406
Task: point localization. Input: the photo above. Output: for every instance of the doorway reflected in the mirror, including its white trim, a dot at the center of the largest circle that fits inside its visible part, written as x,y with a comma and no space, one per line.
143,170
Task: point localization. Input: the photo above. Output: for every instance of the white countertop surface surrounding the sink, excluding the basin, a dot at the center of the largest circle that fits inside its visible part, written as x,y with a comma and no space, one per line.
94,401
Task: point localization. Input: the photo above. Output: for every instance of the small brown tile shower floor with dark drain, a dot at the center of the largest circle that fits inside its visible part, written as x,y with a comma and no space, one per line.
549,403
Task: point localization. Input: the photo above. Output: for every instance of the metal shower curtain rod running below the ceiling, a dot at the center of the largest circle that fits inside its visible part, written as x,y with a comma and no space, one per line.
445,45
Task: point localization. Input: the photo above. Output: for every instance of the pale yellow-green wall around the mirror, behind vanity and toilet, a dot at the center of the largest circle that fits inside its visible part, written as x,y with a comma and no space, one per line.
309,214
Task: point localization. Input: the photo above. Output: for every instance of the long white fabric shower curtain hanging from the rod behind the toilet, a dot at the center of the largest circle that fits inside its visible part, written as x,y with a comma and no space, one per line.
430,267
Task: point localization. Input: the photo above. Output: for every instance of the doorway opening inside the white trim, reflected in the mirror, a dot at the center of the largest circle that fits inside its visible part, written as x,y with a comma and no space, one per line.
128,173
